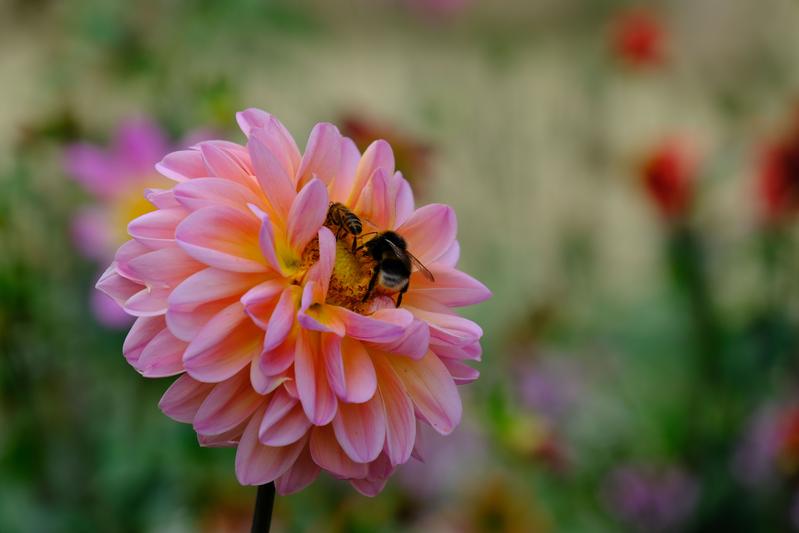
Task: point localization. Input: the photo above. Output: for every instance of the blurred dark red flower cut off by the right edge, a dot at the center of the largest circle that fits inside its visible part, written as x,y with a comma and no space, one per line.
778,177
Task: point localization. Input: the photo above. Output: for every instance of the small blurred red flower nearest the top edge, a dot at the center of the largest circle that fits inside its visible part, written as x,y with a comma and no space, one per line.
638,38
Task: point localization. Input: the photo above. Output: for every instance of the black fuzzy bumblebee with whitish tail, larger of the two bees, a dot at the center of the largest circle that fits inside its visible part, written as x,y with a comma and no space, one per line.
394,264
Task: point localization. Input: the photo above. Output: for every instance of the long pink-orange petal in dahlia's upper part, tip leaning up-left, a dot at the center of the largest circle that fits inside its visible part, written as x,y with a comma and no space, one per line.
274,178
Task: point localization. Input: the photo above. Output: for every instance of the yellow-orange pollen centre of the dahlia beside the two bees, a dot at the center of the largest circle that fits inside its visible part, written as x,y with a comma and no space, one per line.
349,281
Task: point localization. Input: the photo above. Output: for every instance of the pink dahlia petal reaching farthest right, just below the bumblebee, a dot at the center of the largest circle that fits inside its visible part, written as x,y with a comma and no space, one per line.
451,287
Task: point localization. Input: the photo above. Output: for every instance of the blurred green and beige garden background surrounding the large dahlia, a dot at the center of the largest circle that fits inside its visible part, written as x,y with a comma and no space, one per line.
626,178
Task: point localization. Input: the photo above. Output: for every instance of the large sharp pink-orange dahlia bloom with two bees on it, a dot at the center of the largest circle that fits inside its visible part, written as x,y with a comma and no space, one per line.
243,286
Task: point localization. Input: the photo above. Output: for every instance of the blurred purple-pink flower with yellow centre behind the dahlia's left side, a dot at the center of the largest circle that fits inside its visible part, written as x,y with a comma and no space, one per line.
115,177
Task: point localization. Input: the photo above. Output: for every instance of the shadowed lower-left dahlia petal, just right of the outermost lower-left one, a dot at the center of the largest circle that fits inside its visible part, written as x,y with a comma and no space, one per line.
229,404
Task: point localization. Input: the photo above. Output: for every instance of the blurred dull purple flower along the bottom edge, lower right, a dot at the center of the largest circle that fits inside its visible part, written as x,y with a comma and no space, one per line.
651,499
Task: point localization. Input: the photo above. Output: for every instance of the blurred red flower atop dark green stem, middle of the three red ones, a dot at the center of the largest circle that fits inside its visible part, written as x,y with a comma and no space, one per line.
668,175
